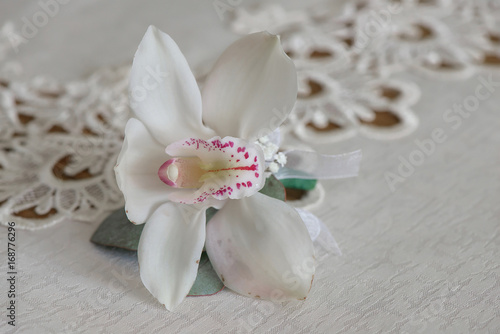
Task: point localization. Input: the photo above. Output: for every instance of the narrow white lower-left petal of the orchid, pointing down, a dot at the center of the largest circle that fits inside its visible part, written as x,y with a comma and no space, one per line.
169,252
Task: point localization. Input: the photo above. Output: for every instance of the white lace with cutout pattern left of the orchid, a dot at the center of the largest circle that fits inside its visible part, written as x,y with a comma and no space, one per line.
58,145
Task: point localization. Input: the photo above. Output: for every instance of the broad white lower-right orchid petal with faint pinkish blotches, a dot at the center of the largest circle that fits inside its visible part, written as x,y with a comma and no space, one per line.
260,247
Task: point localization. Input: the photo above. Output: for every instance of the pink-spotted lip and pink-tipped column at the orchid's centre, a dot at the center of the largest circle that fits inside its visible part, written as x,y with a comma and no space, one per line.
218,168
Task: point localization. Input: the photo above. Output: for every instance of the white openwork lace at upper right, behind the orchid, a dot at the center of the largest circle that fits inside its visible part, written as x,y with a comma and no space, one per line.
348,61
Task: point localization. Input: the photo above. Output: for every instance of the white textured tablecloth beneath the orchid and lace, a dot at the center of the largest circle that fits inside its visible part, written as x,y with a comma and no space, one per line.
422,259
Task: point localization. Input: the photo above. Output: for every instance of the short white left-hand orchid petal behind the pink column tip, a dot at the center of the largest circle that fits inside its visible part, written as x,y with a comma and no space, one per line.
137,172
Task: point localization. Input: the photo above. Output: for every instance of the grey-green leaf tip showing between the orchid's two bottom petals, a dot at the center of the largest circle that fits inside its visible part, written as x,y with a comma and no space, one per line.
207,282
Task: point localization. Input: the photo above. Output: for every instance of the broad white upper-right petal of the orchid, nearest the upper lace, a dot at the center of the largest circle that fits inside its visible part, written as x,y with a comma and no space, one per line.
251,89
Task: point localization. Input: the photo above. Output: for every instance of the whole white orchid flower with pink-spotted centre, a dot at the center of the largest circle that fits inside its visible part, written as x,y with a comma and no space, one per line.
186,151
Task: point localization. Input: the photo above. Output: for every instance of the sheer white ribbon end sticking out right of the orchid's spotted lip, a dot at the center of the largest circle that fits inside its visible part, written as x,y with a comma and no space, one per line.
311,165
